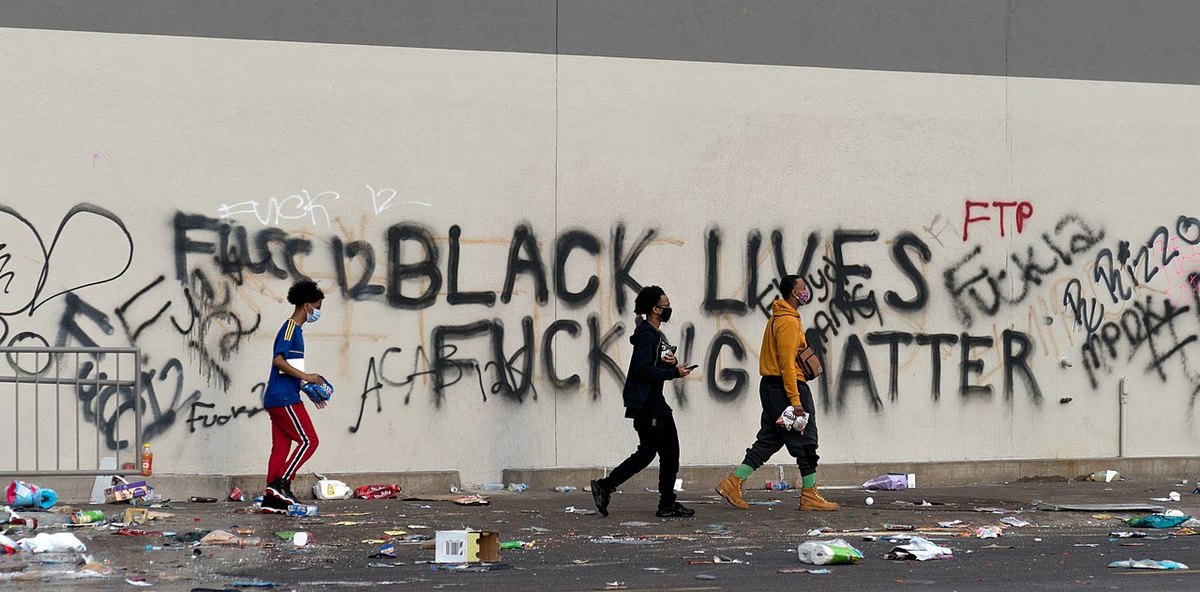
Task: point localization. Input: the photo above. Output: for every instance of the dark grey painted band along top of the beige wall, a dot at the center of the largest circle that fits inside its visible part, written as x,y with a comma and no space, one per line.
1102,40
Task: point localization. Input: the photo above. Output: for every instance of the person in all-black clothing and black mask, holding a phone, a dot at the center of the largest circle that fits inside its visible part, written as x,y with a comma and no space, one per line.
652,364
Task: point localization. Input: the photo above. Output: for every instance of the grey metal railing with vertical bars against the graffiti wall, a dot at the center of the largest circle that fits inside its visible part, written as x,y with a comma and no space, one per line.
58,403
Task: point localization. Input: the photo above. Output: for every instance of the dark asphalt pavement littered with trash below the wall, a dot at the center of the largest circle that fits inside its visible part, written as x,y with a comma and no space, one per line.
573,549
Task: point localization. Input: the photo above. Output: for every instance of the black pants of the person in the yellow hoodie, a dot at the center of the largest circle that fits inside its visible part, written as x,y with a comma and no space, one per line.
773,436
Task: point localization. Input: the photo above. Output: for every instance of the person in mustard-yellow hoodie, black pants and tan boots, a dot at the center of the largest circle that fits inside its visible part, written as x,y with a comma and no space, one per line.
783,384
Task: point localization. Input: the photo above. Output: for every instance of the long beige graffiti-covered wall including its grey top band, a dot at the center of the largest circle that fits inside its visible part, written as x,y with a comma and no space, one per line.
998,224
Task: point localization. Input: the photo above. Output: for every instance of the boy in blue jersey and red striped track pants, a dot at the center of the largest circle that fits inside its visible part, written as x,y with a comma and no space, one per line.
290,418
